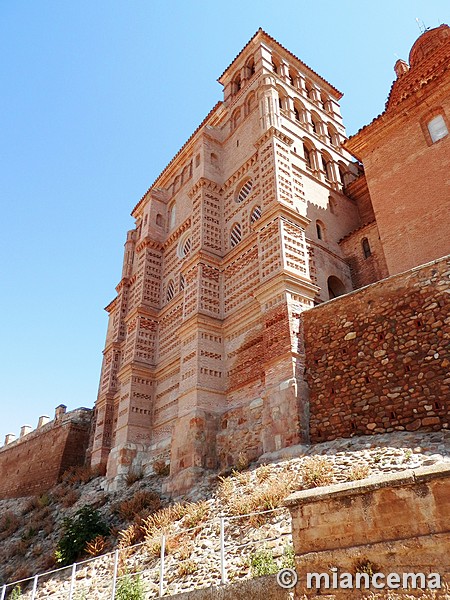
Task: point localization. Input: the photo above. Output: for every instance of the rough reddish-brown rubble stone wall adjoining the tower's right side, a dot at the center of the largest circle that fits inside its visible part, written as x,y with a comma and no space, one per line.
377,360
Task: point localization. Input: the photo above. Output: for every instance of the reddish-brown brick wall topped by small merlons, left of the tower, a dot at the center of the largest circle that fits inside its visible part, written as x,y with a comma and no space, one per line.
34,463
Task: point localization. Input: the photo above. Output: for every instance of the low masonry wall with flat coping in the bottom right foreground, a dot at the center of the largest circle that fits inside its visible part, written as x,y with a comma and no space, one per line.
398,523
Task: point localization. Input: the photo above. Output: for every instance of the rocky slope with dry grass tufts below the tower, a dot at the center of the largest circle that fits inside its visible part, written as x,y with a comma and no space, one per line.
138,514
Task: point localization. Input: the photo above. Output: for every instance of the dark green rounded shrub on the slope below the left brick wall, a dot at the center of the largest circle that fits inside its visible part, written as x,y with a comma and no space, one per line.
85,525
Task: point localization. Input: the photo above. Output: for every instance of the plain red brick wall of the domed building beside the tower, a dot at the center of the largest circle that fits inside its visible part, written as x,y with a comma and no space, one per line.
409,186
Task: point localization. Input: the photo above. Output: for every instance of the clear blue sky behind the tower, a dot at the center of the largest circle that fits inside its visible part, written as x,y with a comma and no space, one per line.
96,97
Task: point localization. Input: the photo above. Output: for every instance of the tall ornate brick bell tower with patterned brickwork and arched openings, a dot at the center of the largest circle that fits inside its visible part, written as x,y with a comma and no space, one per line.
203,359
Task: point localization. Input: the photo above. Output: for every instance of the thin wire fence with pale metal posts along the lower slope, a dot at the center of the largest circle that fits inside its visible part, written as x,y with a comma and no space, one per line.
210,553
